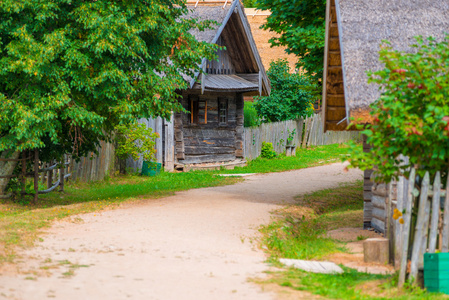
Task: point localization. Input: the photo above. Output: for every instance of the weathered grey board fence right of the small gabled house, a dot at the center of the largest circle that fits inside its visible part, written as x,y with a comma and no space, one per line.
308,132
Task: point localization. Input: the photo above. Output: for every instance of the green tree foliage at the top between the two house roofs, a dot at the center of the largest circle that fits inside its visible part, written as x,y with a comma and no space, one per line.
301,28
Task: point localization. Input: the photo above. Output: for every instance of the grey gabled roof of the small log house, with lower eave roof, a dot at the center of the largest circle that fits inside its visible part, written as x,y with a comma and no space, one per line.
234,29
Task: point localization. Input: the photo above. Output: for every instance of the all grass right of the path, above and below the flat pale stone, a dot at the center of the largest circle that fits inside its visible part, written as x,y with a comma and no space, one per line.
300,234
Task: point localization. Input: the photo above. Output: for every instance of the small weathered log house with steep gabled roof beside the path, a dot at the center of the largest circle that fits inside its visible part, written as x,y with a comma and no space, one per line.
212,132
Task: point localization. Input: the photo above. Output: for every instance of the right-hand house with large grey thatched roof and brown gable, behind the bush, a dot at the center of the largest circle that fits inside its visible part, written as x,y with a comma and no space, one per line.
354,32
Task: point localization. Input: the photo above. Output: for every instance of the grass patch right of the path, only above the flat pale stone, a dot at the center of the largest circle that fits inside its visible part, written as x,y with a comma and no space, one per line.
299,233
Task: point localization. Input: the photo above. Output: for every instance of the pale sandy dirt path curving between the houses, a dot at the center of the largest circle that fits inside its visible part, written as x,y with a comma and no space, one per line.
198,244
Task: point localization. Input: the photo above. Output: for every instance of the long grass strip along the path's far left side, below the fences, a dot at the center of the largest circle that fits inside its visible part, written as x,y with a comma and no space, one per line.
20,222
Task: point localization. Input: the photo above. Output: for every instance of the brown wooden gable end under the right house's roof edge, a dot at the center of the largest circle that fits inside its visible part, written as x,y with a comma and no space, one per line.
334,92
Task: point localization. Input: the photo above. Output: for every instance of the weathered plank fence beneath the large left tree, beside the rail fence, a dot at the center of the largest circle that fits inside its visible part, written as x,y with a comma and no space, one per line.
94,167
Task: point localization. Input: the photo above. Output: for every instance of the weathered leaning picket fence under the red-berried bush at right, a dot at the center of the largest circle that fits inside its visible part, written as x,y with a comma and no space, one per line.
425,226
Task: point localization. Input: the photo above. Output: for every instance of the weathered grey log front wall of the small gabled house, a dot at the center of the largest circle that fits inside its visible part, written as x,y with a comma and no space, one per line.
211,142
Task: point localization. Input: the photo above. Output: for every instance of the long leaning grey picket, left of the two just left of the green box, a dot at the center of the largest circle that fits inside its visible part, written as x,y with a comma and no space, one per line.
406,229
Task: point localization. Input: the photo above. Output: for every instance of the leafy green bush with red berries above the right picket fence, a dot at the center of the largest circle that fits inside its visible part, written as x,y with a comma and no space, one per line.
412,115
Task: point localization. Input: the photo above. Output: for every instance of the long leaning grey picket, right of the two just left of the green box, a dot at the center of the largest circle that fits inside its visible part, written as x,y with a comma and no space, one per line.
419,229
